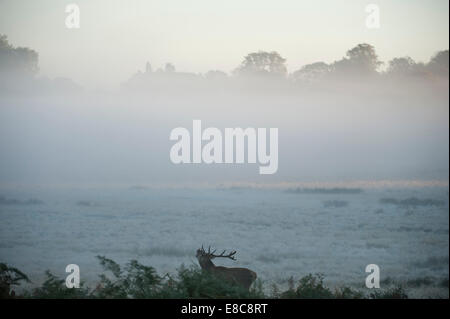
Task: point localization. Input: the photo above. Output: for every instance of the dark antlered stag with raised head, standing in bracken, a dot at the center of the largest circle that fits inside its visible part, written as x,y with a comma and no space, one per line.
240,276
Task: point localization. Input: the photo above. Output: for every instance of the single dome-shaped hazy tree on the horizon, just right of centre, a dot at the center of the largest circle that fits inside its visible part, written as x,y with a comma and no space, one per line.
262,63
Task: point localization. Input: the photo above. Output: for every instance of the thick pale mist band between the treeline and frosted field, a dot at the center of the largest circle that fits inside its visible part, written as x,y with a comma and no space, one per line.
380,129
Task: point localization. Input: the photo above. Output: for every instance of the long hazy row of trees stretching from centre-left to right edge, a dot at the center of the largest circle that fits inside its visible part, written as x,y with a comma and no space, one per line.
359,62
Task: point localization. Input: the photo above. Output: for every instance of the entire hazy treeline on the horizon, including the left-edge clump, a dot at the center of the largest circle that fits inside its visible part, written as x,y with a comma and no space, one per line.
360,61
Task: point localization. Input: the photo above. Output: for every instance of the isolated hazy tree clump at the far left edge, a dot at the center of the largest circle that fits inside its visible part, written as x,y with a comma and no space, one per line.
17,60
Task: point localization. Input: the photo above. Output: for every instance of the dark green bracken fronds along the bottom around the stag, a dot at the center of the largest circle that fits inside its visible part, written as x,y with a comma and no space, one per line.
138,281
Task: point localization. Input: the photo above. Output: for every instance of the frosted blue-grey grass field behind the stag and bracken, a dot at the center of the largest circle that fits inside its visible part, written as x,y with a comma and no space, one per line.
276,233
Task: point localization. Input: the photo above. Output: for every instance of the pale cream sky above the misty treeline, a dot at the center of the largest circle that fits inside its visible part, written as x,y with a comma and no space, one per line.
117,37
